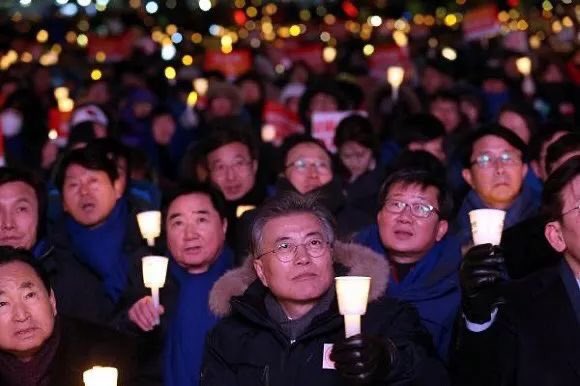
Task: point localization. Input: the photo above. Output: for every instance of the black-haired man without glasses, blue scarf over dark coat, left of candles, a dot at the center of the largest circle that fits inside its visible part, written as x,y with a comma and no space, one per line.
97,241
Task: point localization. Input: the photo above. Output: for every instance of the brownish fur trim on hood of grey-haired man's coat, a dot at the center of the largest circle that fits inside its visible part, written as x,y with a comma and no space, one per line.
359,261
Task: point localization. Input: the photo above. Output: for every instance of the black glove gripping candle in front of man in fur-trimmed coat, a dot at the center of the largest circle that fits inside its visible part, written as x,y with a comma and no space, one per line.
363,359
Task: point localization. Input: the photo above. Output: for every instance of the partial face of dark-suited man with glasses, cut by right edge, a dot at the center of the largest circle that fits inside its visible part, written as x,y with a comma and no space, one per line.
564,234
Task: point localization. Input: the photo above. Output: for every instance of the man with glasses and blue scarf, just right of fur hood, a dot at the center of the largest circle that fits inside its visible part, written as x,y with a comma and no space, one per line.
411,234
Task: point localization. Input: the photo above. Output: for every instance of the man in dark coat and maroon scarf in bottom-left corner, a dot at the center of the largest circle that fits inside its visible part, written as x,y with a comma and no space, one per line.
39,348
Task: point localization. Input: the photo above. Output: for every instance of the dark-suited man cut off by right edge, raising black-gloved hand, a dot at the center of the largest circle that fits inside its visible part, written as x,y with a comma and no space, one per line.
533,337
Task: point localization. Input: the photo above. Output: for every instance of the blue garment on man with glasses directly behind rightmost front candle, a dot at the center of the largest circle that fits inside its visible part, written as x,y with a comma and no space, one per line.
525,206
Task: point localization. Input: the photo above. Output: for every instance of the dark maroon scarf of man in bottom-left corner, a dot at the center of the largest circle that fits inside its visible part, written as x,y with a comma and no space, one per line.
36,372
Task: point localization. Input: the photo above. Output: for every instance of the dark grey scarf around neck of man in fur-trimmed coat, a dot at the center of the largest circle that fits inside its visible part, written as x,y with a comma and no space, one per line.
293,328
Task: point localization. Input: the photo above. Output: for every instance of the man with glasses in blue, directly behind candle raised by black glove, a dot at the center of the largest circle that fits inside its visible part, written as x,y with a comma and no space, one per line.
494,165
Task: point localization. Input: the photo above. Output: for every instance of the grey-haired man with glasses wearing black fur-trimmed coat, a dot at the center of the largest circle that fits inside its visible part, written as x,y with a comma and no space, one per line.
281,312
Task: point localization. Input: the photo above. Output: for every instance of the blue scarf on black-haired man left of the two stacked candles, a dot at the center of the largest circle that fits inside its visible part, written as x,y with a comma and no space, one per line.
101,248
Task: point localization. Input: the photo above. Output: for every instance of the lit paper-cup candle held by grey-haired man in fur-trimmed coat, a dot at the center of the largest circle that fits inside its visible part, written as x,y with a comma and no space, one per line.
352,293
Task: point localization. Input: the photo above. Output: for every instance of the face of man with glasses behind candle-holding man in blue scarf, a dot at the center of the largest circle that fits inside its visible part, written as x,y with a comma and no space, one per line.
232,170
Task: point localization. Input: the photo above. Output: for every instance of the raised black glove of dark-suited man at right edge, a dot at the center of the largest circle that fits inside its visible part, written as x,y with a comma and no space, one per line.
481,274
